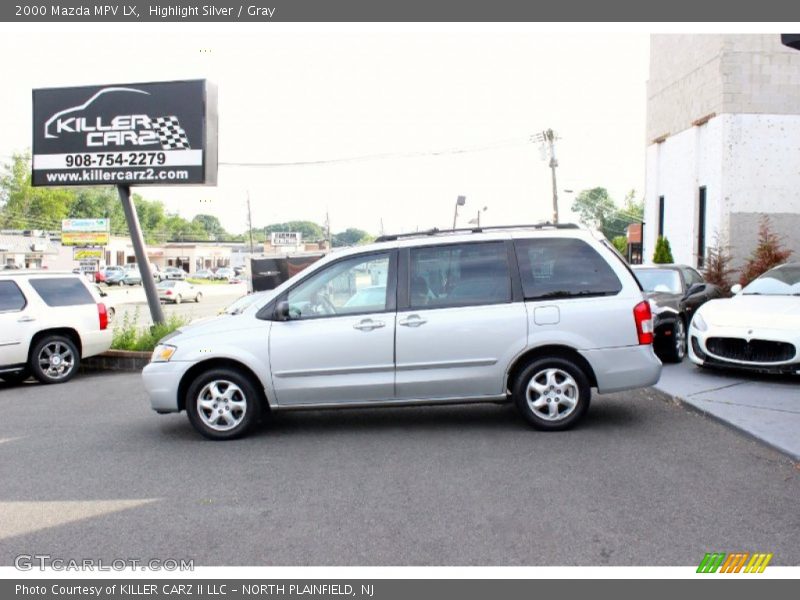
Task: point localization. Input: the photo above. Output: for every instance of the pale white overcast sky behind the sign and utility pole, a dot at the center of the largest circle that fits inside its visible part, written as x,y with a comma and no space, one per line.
378,95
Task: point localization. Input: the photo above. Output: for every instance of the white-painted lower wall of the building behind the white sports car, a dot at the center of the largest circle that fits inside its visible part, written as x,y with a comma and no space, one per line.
749,163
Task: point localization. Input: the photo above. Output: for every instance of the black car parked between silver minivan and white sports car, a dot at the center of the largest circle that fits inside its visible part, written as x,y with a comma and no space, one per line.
674,293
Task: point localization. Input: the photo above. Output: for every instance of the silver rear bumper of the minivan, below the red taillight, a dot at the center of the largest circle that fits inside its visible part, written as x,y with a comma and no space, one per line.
625,368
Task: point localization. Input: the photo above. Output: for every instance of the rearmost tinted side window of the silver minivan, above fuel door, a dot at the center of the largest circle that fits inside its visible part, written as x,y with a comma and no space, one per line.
563,268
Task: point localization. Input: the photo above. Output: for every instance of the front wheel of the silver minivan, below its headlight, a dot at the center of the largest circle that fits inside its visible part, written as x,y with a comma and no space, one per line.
223,404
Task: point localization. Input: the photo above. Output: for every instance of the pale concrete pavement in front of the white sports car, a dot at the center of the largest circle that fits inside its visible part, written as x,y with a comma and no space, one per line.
768,408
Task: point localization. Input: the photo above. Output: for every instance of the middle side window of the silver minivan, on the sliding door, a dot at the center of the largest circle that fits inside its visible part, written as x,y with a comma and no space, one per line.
459,275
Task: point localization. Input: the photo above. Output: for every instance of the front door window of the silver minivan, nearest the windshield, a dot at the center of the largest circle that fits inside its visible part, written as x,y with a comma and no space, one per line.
353,286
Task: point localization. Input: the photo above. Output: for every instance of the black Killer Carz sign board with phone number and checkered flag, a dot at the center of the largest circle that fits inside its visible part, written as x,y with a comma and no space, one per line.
150,133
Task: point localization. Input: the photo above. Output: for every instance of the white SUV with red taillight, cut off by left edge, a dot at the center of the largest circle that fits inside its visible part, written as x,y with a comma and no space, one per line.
48,321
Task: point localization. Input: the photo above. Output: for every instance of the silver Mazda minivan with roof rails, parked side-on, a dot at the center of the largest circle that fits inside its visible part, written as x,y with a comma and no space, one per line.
535,315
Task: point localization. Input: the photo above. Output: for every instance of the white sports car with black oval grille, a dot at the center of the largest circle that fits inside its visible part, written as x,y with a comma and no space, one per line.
758,329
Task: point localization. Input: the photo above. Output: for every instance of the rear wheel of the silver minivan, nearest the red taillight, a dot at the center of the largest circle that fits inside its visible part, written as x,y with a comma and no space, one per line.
552,394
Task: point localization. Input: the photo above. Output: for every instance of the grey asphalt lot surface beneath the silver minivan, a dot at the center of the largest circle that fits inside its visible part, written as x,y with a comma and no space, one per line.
90,471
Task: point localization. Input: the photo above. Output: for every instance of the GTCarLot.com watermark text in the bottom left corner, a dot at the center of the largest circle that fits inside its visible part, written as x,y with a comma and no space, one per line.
42,562
